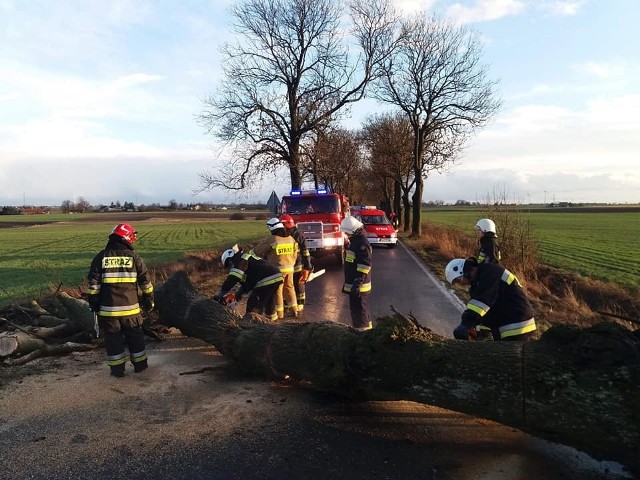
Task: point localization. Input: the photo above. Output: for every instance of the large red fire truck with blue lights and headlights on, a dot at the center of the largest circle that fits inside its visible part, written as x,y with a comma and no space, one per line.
318,214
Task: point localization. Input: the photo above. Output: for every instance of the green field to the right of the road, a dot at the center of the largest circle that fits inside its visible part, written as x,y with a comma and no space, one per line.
599,243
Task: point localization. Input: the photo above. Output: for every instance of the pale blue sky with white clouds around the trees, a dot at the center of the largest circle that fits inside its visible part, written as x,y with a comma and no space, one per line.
99,100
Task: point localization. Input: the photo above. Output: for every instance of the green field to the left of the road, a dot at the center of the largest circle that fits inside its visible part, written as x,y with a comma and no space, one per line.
37,257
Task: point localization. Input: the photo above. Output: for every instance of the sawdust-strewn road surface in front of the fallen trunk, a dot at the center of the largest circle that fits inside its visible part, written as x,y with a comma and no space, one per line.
191,416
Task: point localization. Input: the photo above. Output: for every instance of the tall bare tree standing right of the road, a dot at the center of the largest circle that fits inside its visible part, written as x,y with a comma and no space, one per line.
436,79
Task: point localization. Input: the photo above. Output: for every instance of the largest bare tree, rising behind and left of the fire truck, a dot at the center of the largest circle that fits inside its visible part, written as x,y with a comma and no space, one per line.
290,74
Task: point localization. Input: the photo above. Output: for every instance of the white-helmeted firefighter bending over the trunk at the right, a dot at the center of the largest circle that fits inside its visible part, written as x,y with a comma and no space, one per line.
497,301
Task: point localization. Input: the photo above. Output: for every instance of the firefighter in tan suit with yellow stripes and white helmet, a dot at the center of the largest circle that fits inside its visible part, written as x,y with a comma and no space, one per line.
281,250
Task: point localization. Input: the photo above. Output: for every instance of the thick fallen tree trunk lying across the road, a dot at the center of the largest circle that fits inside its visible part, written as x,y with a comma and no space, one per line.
576,387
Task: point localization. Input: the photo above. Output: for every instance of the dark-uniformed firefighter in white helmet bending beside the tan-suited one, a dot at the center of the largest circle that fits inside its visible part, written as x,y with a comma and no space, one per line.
255,275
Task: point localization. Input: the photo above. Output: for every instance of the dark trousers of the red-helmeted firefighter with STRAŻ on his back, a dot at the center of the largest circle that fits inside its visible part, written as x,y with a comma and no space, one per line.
115,333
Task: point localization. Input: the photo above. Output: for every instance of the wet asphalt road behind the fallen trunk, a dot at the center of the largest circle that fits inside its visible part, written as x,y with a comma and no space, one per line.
399,279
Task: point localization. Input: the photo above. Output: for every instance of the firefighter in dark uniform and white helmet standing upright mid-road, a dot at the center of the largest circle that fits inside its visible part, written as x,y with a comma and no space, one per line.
357,273
